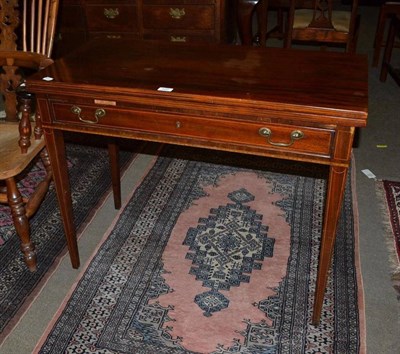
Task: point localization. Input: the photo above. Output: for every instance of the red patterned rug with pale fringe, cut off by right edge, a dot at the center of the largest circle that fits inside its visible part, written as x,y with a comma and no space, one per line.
390,194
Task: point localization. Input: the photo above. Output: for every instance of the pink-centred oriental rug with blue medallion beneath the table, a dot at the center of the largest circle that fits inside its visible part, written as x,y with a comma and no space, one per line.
216,255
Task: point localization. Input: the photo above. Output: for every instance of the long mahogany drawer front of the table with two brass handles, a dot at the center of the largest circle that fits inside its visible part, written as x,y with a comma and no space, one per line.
293,139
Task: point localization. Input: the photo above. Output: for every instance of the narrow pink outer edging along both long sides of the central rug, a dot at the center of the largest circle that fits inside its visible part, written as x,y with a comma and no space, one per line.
357,260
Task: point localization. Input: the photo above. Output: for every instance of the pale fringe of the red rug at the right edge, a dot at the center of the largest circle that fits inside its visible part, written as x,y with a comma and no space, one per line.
394,261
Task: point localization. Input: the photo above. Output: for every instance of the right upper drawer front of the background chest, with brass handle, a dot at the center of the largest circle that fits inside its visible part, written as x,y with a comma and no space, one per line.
187,17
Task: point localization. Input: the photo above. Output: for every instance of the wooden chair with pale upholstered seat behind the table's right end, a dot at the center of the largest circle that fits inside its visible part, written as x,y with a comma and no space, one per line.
322,22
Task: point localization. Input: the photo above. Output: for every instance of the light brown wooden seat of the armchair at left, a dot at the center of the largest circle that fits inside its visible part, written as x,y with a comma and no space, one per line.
13,162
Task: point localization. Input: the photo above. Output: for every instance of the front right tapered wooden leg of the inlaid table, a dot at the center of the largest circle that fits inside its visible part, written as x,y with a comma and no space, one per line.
334,198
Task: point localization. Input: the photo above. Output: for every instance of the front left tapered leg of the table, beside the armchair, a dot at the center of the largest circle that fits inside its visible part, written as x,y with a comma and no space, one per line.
56,149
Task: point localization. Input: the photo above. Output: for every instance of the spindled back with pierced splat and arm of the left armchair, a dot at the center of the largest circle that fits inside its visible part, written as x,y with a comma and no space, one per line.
25,42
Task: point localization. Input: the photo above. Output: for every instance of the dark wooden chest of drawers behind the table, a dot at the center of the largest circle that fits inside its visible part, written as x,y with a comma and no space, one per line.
177,20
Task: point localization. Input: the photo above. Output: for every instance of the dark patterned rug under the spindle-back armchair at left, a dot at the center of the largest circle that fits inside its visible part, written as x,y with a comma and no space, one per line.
91,182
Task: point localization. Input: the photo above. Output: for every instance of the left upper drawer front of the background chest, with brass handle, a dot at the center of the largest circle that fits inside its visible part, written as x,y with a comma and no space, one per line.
111,18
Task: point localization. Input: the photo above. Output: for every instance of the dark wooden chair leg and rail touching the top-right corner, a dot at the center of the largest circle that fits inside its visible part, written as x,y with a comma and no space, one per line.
386,12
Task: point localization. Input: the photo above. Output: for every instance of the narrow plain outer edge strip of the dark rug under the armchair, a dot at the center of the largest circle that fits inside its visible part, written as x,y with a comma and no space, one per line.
31,298
